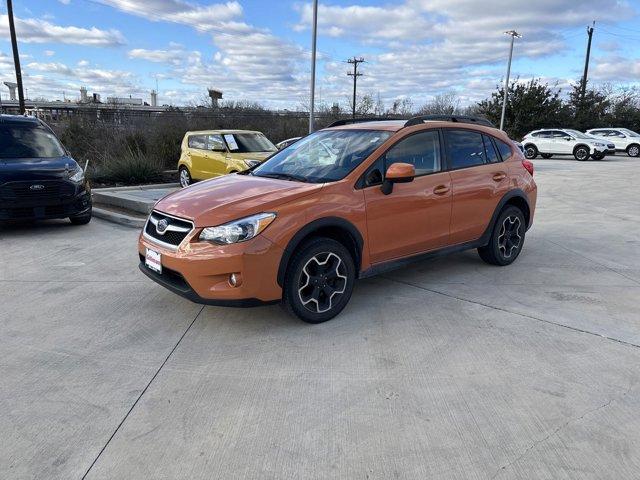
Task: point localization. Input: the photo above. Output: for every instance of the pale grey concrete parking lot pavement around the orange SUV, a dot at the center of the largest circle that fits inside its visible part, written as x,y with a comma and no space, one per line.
449,368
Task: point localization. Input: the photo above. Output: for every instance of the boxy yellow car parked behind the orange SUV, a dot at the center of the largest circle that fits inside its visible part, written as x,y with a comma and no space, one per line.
211,153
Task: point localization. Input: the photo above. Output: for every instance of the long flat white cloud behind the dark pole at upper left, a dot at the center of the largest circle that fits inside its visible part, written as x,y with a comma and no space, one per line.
32,30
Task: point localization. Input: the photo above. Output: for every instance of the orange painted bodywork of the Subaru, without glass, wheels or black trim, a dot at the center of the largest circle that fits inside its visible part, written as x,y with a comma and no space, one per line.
432,212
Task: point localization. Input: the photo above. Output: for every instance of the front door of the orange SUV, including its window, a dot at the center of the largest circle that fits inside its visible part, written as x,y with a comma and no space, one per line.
415,216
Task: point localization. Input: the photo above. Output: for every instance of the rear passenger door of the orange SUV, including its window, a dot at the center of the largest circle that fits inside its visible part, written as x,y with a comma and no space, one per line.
479,180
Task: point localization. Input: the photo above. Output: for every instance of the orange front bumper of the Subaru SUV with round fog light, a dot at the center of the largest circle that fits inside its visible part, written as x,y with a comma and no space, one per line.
200,271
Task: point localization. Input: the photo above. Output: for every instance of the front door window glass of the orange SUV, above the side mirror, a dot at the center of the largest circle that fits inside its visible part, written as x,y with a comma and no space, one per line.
421,150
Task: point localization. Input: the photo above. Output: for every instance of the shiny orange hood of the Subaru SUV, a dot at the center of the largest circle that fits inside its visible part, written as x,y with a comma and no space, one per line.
220,200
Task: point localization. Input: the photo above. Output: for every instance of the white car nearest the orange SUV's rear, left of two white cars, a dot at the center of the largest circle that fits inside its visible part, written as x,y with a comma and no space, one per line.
564,141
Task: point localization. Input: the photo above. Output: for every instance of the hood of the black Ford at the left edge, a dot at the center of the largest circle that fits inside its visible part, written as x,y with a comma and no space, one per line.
16,169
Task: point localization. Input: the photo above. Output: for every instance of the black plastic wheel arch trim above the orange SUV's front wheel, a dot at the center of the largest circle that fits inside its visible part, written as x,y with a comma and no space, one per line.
336,228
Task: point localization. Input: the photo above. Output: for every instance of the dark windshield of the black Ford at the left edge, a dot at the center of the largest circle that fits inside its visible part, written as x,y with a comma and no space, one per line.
28,141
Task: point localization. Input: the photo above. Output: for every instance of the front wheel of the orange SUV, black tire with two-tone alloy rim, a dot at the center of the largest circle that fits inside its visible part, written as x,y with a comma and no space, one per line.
329,264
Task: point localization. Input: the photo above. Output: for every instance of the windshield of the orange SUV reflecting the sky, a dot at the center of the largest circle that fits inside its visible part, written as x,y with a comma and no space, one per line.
325,156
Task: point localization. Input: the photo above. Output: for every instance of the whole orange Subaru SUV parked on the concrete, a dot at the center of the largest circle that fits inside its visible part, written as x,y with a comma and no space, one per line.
347,202
